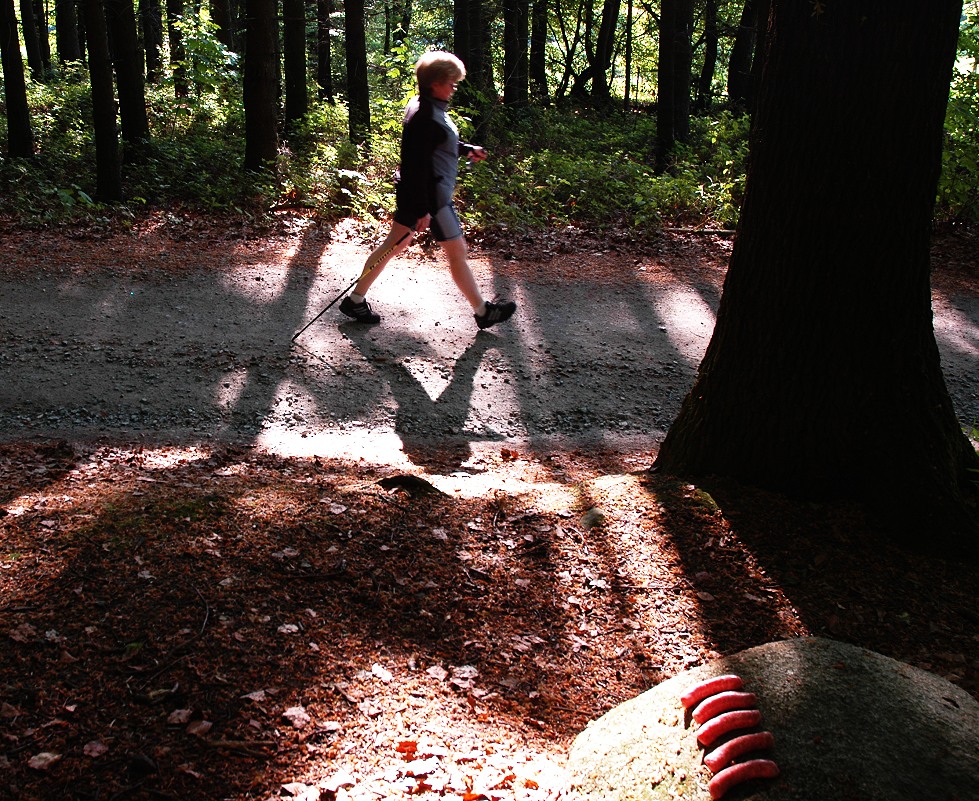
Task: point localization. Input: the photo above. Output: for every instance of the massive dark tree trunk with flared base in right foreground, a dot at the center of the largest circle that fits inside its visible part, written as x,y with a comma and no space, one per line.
823,376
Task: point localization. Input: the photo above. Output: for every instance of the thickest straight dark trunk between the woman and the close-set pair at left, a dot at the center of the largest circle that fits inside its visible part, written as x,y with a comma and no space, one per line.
260,85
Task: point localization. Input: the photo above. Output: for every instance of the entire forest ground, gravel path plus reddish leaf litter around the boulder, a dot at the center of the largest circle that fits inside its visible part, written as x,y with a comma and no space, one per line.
409,560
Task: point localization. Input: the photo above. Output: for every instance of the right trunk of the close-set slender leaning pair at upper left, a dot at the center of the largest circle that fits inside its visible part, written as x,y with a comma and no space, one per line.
128,62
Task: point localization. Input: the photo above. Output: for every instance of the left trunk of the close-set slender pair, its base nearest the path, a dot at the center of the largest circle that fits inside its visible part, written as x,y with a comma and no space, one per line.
108,159
